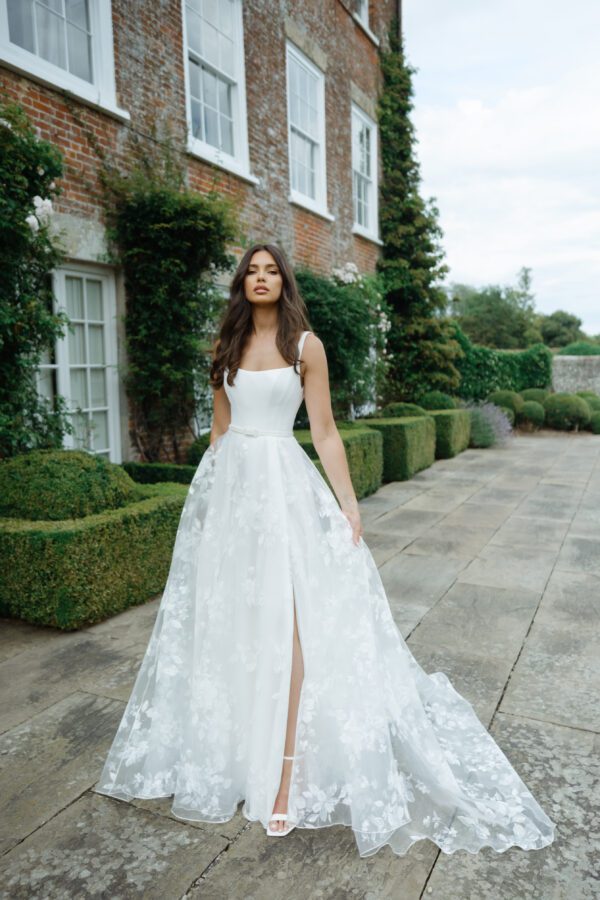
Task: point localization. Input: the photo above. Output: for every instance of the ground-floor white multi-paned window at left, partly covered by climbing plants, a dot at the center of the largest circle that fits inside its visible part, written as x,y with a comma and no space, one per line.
83,365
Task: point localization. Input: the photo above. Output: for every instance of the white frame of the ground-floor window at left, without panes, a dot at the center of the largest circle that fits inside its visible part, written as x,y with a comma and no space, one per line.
62,354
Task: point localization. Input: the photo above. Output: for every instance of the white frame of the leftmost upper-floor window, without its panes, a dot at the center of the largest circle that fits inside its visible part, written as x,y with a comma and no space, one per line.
102,93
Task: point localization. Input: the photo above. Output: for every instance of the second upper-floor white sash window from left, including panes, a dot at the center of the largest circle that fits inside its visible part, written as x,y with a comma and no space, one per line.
215,83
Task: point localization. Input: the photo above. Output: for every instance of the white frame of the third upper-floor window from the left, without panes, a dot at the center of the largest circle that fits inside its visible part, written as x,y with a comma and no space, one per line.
317,205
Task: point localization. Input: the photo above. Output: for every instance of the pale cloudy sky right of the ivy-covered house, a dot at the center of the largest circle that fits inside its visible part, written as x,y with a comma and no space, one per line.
507,115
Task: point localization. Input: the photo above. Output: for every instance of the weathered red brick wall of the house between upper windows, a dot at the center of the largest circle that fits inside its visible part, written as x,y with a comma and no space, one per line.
149,72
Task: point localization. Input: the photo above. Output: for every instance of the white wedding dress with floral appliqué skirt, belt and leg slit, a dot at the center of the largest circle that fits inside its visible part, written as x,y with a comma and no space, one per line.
394,753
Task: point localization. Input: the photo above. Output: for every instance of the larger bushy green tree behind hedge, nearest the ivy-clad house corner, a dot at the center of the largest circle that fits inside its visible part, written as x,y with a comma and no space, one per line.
497,316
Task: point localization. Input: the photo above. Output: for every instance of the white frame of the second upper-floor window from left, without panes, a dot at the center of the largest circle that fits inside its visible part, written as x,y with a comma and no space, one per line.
239,164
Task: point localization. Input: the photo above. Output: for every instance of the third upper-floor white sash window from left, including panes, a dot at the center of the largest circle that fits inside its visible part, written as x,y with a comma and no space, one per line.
306,132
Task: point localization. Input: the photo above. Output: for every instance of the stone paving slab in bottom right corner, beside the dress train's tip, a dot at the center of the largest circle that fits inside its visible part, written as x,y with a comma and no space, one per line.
562,769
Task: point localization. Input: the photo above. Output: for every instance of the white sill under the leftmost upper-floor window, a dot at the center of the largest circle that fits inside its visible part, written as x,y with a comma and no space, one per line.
60,81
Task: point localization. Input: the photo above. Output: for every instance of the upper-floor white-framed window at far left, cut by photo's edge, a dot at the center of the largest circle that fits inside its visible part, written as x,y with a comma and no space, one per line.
63,43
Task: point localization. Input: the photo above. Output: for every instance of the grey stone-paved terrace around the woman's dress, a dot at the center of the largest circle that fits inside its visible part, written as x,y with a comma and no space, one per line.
491,562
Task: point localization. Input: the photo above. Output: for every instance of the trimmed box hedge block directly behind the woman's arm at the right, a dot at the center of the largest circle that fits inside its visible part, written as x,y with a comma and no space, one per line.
364,452
